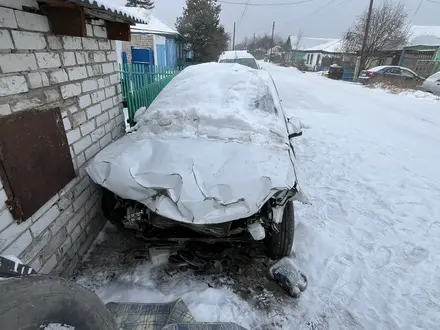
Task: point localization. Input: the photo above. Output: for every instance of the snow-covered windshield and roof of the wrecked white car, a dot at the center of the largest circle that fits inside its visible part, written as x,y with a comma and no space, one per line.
222,101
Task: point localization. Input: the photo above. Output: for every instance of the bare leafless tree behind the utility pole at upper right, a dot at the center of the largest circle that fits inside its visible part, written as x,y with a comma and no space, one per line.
388,31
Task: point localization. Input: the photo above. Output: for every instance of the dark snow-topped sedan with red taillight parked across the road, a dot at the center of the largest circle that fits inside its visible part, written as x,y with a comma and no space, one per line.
390,73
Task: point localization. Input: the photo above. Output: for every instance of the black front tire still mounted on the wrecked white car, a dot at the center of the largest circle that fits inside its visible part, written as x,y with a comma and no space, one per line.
279,244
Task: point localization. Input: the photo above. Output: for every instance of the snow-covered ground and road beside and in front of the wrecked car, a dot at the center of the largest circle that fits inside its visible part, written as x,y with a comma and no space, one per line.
370,242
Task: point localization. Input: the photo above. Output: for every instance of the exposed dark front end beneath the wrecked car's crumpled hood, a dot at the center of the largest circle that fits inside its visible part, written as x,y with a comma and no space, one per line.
136,216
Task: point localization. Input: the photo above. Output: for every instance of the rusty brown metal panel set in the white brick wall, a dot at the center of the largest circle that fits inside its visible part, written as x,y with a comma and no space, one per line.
35,161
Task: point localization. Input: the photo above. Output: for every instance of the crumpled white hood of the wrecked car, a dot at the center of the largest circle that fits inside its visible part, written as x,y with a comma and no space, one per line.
195,180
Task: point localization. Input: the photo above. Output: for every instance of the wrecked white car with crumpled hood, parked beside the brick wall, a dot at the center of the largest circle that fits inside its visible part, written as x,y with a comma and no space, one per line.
213,153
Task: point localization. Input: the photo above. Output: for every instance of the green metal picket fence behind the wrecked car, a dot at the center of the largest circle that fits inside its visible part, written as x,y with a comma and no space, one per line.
141,84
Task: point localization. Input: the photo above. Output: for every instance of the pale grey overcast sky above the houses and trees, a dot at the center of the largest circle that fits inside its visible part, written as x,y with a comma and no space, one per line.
317,18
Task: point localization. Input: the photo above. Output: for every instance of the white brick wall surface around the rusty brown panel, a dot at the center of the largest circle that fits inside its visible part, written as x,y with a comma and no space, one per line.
77,75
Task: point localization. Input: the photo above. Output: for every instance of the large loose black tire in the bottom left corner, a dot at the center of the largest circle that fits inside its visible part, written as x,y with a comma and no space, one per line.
32,301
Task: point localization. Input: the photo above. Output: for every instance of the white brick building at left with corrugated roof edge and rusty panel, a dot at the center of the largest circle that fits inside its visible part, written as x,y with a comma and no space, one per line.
60,103
